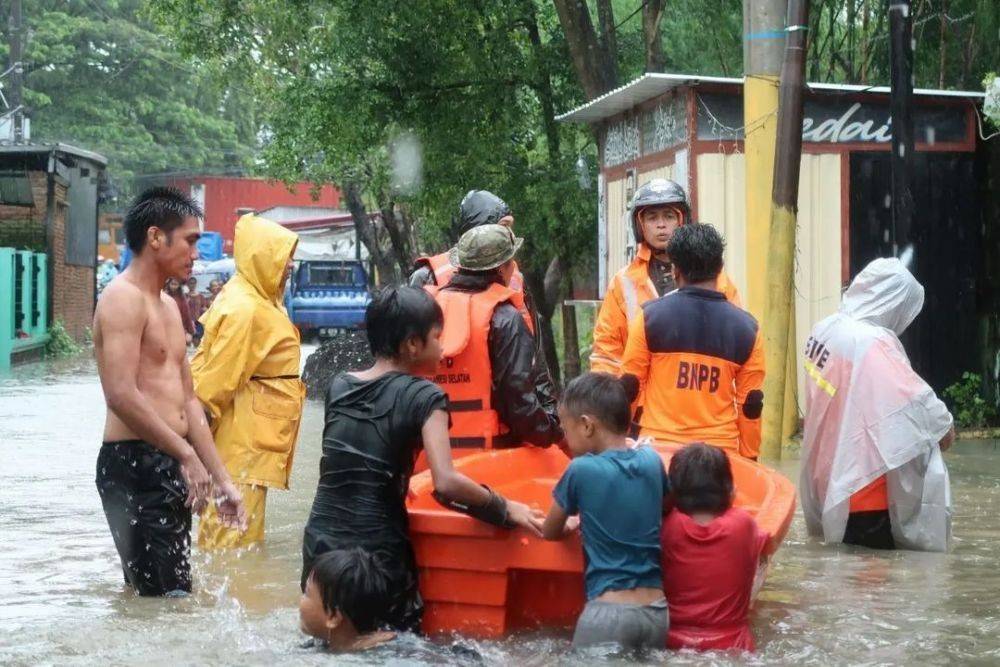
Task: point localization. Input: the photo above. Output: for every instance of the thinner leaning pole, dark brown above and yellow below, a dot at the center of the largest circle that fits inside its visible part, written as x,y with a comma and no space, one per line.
784,212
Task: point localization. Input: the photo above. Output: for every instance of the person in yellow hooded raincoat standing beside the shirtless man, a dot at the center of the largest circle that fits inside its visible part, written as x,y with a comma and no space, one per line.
246,374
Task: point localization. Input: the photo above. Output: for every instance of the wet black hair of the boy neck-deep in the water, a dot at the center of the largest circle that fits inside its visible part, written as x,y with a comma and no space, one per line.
353,582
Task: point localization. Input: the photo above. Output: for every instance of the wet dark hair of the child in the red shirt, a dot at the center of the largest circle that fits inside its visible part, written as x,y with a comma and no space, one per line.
701,479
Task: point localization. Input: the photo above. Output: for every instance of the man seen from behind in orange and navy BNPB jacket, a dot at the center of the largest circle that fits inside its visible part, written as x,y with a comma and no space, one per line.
698,358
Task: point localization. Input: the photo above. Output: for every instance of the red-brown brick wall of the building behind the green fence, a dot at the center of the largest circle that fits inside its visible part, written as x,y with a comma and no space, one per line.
72,286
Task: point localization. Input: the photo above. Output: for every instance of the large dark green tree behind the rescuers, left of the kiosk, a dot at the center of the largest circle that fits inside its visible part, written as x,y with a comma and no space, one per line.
478,86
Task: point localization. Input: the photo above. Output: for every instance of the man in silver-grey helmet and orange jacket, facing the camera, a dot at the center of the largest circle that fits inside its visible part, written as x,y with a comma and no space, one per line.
658,208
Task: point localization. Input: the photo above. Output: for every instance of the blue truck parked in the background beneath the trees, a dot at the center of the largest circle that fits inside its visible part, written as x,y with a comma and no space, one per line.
328,296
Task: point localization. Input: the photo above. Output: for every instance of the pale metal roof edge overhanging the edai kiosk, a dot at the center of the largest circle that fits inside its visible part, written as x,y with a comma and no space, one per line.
655,84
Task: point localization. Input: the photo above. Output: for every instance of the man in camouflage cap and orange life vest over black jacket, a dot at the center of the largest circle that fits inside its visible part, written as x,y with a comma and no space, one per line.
495,398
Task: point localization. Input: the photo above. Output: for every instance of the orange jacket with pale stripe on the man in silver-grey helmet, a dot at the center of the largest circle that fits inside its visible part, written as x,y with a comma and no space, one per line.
628,290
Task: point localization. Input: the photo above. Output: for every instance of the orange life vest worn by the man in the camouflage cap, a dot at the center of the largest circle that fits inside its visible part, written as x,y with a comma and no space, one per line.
465,372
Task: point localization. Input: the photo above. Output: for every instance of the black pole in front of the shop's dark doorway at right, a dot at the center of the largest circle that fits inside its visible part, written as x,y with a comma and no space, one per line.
901,106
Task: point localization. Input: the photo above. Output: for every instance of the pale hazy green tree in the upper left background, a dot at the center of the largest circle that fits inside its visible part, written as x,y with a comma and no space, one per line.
100,76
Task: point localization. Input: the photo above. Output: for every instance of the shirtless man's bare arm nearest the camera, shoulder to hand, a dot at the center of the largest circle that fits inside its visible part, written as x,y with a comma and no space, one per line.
121,316
